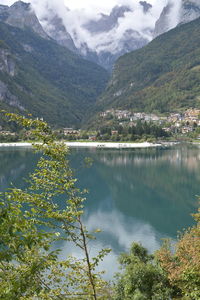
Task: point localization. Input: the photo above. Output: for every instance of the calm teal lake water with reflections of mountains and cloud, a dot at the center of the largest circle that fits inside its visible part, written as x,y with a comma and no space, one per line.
134,195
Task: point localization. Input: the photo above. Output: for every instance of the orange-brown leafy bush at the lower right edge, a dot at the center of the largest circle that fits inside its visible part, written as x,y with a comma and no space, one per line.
182,262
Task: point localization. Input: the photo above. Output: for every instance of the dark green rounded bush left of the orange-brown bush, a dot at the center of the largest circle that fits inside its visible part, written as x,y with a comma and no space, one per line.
142,278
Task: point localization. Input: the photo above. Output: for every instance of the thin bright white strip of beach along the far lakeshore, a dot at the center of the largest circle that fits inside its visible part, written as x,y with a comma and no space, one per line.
98,145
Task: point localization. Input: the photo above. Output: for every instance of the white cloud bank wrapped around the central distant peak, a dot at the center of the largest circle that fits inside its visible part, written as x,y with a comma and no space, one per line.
83,11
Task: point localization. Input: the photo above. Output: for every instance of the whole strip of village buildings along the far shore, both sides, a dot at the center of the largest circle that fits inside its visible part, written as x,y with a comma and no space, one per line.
174,123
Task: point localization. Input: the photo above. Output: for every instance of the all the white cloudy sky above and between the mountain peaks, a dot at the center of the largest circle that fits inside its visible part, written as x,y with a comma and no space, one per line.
82,11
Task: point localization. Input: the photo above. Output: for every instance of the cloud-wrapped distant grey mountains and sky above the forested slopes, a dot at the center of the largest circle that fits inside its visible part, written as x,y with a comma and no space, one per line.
101,31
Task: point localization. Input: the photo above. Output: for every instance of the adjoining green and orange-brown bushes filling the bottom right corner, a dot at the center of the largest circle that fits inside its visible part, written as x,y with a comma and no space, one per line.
173,272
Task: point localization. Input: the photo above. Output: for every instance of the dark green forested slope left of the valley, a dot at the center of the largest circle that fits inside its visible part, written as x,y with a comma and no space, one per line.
49,81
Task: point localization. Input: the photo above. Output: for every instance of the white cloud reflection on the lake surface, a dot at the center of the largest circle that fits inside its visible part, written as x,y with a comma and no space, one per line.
117,234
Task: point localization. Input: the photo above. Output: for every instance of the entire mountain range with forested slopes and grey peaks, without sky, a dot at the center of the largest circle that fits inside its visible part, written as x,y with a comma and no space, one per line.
43,72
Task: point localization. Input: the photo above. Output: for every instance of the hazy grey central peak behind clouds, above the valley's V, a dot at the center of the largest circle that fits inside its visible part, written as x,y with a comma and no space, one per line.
107,51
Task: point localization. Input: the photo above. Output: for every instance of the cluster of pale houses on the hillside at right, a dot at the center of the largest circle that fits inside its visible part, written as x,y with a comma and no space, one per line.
173,122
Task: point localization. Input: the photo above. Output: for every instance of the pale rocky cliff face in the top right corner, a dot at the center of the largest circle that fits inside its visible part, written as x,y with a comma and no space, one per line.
177,13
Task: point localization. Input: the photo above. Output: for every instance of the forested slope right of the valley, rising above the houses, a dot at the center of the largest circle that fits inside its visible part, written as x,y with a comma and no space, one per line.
163,76
